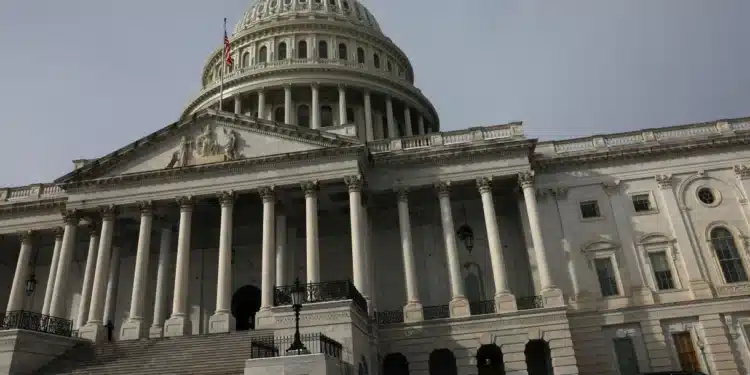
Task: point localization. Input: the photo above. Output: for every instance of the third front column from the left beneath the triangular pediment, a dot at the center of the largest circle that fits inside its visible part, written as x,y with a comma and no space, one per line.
135,327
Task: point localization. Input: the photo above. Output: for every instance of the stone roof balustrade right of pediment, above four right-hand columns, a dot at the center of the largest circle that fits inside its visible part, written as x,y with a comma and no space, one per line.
471,135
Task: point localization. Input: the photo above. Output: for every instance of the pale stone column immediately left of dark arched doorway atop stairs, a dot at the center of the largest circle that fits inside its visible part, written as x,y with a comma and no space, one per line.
222,320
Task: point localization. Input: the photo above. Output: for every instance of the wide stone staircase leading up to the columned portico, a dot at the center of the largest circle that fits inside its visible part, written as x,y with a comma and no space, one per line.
218,354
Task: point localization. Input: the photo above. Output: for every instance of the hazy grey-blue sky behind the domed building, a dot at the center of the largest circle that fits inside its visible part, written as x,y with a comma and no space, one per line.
82,78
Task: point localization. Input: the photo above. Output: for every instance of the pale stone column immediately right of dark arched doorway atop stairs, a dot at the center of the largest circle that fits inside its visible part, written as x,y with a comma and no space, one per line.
264,317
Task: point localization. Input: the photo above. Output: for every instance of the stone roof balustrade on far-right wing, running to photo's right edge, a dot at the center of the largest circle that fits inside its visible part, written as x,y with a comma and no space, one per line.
644,137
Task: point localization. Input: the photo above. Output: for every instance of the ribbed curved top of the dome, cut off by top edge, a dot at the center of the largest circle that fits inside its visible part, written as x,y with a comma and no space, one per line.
344,10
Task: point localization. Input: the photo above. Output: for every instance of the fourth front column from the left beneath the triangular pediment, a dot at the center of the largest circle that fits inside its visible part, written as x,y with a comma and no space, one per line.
179,323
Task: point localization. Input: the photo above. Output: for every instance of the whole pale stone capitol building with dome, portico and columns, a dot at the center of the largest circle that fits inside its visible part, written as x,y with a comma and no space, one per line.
306,214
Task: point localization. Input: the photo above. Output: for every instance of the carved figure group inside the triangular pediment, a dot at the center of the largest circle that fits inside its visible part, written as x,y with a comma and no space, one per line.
206,148
